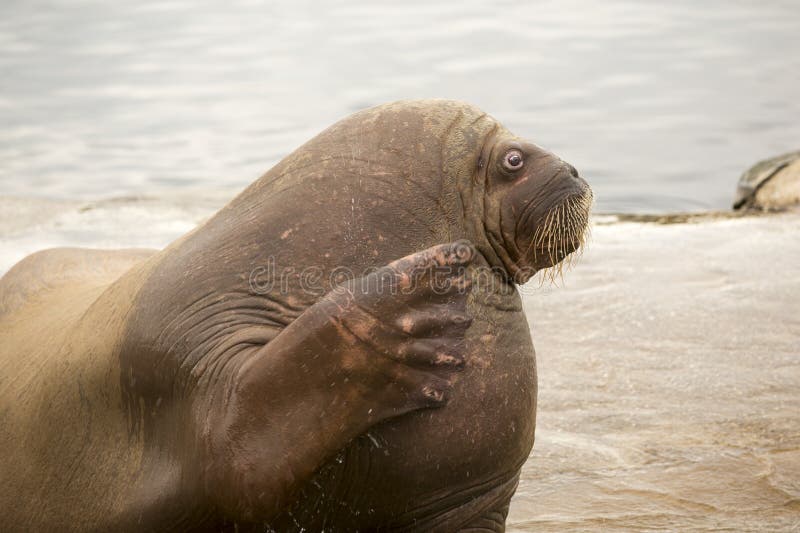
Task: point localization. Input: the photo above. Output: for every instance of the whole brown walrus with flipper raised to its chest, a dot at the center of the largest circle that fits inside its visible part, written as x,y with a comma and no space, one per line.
342,347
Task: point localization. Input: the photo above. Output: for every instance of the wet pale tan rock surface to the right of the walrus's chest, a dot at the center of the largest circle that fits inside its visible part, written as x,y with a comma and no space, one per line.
669,371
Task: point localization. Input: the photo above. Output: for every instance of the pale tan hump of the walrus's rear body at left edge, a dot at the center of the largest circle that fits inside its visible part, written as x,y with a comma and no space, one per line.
55,267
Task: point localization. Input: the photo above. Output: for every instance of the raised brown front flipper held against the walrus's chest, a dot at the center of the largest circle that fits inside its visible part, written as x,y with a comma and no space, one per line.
378,347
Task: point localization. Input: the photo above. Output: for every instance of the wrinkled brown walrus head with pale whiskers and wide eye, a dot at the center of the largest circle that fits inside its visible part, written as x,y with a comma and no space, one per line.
536,206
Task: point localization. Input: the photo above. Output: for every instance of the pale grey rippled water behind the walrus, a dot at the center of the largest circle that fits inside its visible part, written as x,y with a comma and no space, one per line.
660,105
